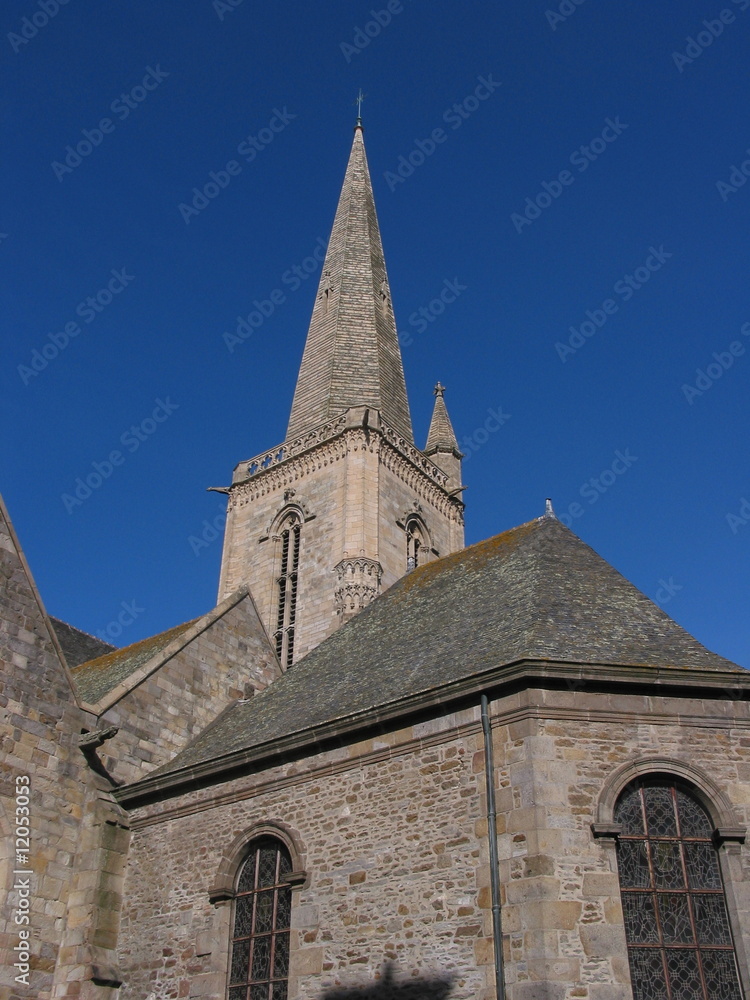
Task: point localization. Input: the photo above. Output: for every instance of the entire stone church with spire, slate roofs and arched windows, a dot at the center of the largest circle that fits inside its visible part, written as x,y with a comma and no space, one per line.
384,765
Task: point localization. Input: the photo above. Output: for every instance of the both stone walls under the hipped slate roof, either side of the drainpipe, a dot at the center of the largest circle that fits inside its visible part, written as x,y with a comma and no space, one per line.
393,837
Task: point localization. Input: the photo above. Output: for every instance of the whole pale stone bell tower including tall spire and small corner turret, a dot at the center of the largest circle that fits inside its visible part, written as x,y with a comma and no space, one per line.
321,524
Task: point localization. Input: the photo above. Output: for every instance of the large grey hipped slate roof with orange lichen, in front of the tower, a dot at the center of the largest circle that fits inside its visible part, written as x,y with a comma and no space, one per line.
536,592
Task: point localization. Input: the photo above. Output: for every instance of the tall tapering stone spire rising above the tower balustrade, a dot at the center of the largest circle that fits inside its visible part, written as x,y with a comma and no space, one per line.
352,356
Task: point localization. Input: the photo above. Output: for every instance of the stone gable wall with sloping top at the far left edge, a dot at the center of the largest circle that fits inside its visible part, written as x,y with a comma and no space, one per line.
39,727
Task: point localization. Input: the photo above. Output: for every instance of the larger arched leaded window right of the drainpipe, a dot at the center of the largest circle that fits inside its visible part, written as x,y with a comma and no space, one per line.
676,922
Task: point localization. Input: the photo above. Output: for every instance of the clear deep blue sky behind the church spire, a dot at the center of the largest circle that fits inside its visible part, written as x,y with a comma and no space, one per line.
584,183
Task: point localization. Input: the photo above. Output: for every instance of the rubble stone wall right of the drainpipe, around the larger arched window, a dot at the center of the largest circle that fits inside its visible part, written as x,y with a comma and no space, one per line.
561,908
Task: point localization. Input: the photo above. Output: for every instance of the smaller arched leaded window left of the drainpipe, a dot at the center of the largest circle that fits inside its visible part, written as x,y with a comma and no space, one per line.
259,967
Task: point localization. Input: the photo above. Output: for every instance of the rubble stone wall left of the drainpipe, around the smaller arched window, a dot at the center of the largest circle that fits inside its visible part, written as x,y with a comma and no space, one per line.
396,873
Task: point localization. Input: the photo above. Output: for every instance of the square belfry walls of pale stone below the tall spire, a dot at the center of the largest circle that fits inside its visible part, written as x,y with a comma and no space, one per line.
351,490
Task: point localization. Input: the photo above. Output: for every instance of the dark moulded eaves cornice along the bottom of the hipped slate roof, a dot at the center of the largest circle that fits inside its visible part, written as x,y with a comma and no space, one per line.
733,686
